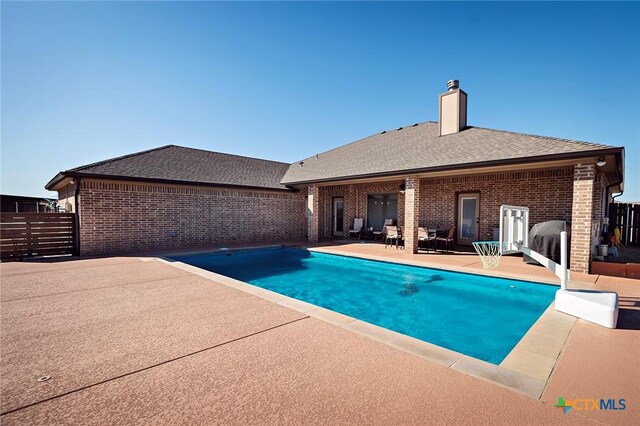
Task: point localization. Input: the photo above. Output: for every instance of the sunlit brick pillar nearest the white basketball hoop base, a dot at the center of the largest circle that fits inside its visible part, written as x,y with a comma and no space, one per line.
581,217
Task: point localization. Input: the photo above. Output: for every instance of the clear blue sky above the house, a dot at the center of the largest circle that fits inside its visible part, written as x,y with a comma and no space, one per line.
82,82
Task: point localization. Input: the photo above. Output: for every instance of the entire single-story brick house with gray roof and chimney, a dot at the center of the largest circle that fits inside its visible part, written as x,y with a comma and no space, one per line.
441,173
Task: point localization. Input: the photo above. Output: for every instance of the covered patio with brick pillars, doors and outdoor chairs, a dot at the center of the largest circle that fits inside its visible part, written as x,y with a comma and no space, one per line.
466,203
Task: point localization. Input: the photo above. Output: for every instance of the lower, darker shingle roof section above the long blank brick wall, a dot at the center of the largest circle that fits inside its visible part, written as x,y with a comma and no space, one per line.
176,163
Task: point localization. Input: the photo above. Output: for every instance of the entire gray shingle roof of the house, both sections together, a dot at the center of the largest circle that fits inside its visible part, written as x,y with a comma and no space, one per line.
409,149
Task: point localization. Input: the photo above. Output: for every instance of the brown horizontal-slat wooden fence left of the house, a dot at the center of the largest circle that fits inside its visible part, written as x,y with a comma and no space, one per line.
37,234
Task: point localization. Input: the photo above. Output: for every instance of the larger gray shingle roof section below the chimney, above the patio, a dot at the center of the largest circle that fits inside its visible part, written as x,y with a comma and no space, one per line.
419,147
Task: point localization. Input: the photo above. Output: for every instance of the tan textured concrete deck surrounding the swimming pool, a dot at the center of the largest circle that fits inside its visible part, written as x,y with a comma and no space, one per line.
131,341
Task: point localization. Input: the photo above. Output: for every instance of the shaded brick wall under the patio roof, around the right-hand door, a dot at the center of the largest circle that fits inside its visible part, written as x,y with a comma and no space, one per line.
547,193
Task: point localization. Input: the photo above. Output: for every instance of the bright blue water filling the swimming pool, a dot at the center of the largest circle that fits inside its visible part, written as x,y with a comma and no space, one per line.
479,316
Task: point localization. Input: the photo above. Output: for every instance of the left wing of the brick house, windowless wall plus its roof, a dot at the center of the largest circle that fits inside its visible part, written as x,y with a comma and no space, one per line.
176,197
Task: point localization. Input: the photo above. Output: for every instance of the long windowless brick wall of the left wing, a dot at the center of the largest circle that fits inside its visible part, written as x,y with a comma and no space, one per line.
120,217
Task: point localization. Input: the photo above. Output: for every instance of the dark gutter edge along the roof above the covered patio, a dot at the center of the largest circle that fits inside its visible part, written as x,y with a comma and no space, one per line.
449,167
